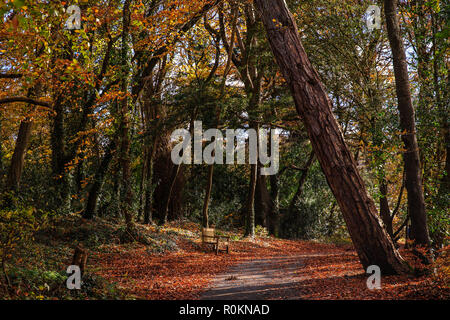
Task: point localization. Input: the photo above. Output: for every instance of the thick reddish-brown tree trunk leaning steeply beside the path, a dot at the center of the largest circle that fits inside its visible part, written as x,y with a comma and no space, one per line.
372,243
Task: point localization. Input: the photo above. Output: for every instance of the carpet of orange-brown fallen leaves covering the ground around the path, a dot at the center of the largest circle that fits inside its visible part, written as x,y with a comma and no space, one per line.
329,271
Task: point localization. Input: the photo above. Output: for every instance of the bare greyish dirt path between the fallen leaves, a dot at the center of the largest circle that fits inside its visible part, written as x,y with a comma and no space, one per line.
260,279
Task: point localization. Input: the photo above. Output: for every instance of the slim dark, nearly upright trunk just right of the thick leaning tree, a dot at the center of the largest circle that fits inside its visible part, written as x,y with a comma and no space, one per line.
411,157
